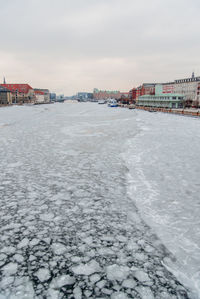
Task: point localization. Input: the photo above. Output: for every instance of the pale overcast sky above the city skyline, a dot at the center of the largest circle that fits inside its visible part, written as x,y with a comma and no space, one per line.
76,45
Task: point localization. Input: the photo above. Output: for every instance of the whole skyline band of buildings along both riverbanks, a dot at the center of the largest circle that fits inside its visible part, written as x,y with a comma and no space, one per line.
177,94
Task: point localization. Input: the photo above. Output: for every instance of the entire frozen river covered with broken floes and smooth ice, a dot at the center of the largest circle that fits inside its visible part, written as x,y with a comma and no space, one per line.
98,203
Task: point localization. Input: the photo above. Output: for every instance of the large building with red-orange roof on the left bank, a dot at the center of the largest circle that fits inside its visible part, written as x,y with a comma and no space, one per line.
21,93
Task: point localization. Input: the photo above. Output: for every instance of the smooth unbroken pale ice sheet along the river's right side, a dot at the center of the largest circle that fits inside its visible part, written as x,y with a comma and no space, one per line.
163,163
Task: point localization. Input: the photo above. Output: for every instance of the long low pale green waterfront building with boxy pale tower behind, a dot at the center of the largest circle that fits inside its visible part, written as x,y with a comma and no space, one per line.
161,99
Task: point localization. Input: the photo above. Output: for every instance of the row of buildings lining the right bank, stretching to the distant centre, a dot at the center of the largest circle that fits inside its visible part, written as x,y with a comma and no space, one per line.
177,94
